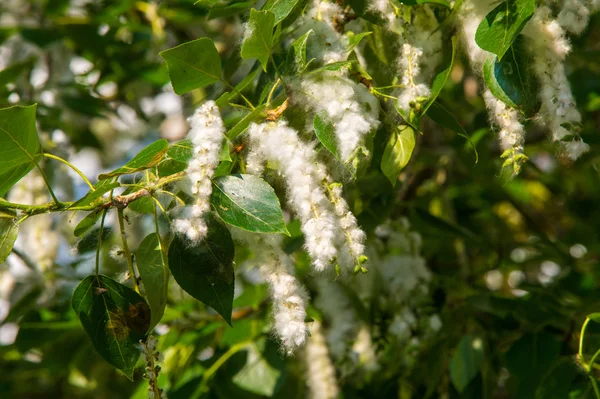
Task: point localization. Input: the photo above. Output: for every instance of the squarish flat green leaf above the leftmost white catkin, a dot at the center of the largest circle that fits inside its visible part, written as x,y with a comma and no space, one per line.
193,65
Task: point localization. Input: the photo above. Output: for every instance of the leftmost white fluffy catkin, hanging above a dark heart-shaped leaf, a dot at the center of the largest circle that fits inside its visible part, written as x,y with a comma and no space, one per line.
206,134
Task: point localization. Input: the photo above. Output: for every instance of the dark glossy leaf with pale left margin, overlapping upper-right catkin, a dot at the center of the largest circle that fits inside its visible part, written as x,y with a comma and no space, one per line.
510,80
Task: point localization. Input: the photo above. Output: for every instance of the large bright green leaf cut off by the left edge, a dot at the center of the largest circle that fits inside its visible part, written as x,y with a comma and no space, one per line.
19,143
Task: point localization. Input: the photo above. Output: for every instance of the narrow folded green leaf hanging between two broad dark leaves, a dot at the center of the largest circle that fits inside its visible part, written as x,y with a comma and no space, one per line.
154,274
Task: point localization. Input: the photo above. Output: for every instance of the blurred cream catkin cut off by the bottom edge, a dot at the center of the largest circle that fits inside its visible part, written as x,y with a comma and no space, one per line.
320,373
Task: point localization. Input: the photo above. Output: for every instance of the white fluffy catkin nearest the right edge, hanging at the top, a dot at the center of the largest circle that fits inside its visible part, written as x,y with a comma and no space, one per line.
550,46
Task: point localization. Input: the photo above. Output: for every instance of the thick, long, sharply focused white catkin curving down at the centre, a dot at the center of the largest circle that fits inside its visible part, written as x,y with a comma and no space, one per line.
296,162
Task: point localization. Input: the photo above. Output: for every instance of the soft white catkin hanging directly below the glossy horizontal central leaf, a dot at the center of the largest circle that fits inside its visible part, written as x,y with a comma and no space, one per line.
289,297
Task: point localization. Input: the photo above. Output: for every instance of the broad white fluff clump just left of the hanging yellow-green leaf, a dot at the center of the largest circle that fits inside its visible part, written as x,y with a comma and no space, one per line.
349,106
